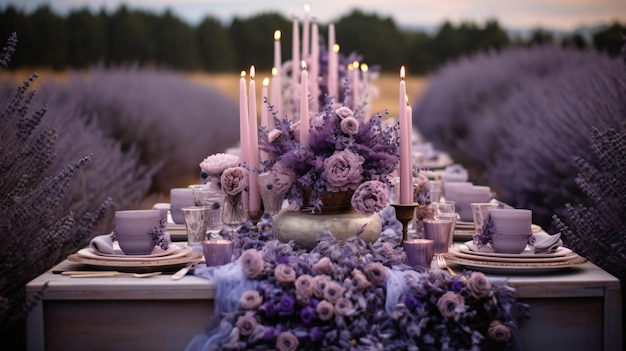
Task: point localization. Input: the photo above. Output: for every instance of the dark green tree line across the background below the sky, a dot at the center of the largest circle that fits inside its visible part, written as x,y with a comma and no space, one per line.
83,38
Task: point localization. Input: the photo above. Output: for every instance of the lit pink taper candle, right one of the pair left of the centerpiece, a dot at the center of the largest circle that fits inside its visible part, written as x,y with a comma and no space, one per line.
253,168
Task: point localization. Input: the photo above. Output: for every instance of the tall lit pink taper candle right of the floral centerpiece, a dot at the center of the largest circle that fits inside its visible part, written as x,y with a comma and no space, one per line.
406,178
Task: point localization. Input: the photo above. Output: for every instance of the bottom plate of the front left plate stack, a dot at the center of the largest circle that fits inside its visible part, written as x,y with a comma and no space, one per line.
139,265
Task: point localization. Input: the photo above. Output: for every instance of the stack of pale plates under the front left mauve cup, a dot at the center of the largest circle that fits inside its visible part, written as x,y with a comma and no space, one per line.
177,255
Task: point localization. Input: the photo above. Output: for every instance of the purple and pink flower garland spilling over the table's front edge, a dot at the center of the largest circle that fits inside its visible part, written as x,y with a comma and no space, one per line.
353,296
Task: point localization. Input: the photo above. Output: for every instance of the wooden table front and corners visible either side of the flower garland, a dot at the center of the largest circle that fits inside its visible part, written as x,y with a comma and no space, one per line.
577,309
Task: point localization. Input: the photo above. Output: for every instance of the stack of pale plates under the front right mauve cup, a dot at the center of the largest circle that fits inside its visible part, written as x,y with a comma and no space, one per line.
526,262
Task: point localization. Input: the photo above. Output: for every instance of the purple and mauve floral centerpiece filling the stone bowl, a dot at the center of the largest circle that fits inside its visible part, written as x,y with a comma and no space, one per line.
347,155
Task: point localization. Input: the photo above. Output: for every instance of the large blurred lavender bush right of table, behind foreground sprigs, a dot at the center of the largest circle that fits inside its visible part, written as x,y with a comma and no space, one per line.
515,119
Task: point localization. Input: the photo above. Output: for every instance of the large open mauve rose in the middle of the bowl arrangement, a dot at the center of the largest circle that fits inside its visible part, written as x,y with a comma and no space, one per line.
342,171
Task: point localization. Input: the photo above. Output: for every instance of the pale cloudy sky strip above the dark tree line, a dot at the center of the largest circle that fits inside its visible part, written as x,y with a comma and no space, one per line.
564,15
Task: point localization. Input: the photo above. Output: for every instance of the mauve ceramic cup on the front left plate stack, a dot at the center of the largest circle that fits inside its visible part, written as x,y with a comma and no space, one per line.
134,230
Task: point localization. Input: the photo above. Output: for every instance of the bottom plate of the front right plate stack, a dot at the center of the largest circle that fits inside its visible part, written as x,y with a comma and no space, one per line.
514,267
